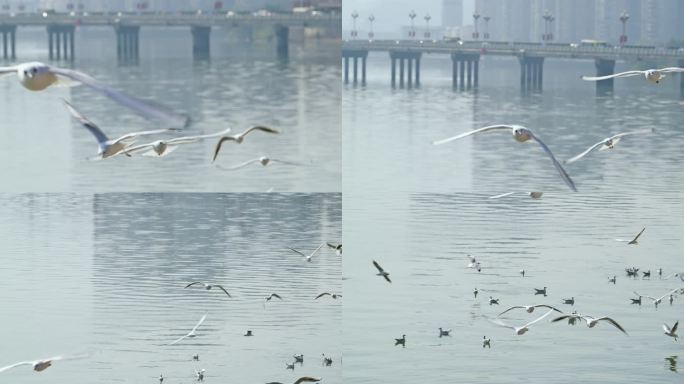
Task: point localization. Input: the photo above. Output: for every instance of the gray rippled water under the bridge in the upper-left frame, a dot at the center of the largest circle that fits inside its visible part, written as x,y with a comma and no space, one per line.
243,84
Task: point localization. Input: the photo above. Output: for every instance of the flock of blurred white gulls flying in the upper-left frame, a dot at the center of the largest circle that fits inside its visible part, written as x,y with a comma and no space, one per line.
36,76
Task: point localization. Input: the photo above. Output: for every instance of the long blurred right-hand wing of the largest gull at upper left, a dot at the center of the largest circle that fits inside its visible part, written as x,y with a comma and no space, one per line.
144,108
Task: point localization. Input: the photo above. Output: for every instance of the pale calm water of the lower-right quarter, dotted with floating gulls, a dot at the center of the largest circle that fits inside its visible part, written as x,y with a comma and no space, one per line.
564,242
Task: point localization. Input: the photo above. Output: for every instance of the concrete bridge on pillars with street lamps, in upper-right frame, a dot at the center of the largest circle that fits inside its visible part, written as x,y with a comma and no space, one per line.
465,57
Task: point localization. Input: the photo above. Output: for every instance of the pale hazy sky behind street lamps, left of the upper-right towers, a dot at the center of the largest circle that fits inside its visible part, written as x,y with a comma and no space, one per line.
390,15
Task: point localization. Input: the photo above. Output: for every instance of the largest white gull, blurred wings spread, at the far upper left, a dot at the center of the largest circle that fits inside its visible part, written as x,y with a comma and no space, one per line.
36,76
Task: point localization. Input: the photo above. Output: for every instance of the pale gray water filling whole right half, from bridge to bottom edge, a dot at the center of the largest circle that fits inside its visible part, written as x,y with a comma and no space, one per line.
419,210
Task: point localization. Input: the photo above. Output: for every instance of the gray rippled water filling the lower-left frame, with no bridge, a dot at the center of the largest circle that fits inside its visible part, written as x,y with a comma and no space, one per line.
104,274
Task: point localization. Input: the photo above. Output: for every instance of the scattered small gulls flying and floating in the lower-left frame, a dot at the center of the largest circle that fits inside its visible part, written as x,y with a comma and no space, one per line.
196,331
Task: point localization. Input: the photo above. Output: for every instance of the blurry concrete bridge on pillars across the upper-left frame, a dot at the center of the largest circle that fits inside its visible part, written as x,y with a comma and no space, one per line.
61,27
